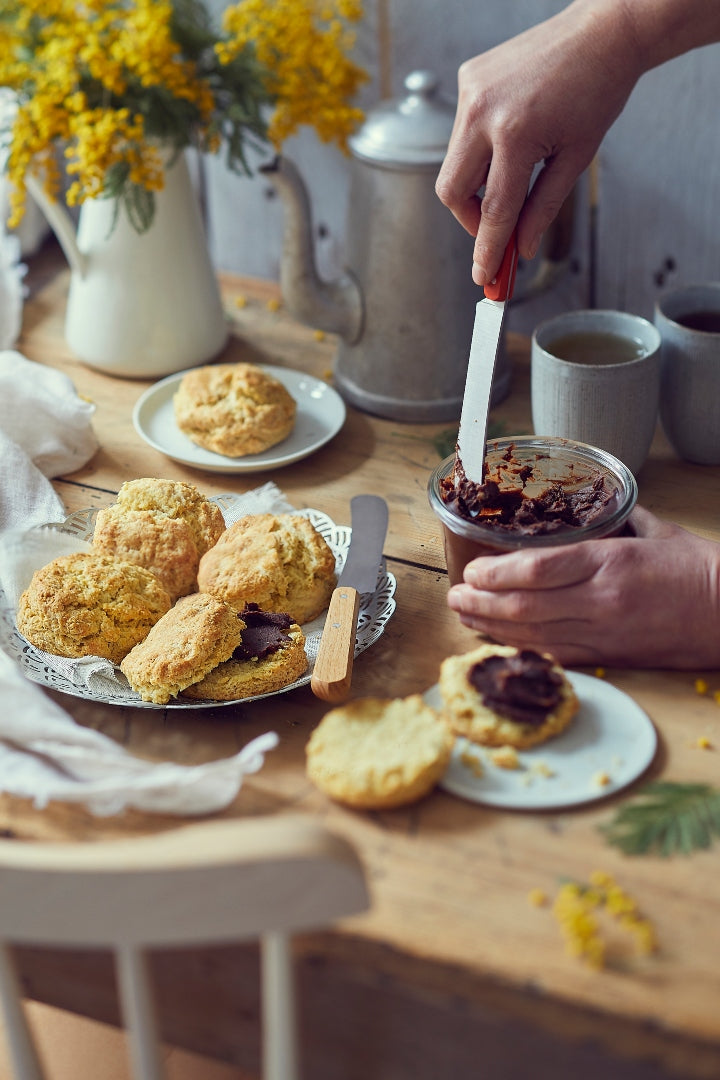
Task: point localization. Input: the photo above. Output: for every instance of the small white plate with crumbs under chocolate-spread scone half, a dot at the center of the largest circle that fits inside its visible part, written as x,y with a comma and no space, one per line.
610,737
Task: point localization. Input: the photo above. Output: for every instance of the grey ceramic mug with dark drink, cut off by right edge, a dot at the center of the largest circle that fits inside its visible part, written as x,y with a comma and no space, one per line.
689,322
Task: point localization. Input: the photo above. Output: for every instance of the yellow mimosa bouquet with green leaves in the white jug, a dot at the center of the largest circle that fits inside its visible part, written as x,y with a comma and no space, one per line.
102,84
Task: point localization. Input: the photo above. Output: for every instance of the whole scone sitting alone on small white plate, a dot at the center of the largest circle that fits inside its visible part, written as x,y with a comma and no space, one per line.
234,410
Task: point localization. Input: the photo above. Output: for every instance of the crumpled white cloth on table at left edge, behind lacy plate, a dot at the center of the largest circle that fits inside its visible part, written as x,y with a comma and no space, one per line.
46,431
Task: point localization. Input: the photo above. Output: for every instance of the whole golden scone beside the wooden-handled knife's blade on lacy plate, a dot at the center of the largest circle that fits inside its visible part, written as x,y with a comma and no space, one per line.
279,562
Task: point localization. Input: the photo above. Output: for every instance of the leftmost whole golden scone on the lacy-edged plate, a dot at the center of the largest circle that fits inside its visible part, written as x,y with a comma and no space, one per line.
88,605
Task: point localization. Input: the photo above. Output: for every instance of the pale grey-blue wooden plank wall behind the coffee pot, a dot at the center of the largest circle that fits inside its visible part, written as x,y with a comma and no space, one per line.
655,217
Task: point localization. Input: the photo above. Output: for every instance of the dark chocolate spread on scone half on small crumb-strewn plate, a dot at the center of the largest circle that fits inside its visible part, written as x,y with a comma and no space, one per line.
523,688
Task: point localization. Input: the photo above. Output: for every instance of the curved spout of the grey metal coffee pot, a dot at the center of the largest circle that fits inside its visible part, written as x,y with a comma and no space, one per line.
334,306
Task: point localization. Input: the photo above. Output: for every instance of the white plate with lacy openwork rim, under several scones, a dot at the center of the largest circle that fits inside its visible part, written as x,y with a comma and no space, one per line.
58,673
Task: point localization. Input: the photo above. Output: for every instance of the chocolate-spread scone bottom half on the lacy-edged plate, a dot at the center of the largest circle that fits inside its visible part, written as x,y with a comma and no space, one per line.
271,655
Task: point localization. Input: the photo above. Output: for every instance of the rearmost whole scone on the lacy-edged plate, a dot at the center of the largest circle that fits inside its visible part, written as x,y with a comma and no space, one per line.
164,525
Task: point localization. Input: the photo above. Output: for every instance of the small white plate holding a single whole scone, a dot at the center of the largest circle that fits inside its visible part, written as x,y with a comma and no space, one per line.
321,414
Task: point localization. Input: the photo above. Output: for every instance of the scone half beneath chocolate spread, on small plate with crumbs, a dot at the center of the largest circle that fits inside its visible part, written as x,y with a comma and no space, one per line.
468,715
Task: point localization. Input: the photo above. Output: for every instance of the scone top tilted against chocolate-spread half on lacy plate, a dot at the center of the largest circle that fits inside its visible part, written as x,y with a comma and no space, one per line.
195,637
